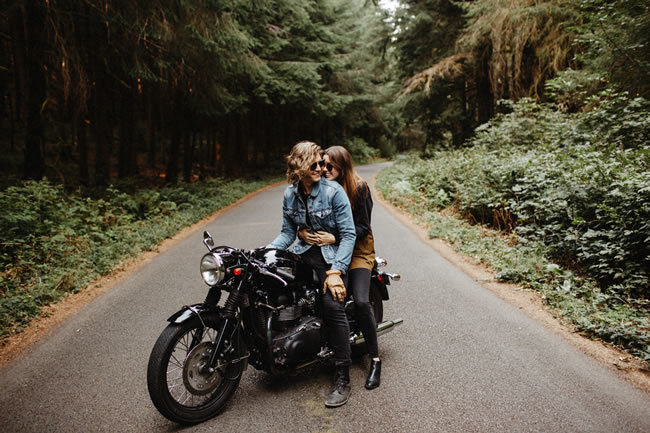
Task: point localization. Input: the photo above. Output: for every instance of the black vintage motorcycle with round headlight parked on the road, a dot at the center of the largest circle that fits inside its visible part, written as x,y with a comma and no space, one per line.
270,319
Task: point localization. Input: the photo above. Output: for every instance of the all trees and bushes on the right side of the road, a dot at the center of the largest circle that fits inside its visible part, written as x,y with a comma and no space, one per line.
524,126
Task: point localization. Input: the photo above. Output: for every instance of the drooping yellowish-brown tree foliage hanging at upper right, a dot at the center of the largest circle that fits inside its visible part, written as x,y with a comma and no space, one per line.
523,42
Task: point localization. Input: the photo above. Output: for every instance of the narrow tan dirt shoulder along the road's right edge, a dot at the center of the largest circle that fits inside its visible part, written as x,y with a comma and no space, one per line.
529,302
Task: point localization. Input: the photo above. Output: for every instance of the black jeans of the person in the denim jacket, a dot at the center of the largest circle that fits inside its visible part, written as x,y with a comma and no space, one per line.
337,322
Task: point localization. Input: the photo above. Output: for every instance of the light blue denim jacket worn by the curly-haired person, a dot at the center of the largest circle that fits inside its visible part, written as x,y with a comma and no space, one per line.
329,210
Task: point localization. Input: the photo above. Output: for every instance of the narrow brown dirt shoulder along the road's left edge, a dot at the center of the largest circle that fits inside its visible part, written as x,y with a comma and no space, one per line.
55,314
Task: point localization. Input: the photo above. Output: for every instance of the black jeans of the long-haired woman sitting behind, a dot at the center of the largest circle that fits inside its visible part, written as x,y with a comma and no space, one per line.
359,283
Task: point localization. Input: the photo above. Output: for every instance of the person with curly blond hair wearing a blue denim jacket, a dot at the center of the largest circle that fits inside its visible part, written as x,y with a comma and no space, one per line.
322,207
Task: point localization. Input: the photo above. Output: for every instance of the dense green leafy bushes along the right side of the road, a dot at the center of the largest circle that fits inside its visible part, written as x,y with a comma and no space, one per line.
570,189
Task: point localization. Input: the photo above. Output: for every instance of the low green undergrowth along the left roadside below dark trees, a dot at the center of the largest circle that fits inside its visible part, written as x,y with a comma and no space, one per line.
54,243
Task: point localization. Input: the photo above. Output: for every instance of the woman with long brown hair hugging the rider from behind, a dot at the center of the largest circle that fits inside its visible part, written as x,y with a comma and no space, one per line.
338,167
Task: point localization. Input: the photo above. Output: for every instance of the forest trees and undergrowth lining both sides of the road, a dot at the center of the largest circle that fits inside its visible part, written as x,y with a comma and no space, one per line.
527,117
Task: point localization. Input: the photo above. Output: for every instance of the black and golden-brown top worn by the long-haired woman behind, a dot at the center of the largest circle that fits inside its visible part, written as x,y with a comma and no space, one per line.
363,255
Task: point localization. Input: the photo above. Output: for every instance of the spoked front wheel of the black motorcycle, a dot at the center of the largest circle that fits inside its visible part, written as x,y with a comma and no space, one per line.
181,385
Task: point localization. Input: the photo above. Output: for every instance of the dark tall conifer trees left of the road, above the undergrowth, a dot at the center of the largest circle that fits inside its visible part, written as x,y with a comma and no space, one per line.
96,90
